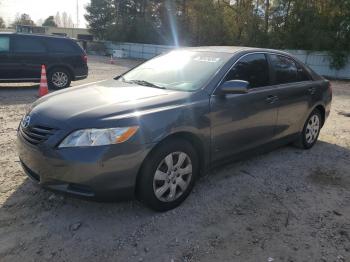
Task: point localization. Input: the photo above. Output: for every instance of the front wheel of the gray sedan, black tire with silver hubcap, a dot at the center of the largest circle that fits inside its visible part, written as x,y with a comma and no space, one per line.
158,177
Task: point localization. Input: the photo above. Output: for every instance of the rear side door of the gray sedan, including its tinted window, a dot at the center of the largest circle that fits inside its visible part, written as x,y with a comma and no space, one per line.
294,88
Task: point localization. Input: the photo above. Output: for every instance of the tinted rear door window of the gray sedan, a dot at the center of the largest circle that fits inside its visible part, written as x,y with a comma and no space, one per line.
285,69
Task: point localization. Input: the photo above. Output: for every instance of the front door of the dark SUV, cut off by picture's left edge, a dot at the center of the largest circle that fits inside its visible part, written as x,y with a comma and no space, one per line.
8,66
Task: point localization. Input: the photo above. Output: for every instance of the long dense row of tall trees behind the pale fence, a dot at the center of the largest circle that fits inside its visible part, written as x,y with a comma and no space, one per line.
322,25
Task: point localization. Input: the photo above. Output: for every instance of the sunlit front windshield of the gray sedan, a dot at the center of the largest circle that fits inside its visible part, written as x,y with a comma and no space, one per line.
179,70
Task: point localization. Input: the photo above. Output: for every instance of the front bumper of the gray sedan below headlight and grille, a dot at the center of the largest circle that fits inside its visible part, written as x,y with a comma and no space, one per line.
106,172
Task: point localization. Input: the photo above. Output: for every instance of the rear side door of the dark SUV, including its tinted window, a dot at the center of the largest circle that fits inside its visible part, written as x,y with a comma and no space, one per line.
31,53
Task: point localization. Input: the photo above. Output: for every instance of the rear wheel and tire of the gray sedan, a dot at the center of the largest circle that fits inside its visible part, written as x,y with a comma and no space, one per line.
311,130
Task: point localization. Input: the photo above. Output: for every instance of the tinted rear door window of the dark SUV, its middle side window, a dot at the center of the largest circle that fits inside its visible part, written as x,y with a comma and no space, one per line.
28,45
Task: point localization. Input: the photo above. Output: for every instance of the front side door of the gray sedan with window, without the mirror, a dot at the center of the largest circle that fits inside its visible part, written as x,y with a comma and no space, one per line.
243,121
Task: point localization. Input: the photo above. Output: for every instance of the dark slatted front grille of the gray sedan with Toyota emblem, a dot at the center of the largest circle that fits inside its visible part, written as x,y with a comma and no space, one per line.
36,134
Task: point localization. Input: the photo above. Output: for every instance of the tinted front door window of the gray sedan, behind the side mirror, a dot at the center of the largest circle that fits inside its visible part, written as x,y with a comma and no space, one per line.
252,68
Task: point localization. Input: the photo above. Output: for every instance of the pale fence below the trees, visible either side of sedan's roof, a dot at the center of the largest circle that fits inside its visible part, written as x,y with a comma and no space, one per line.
318,61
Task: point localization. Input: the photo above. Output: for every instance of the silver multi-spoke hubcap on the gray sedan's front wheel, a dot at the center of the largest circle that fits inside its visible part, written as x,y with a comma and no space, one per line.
172,176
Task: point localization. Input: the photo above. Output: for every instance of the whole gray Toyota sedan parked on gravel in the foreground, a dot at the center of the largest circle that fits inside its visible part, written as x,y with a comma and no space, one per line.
152,131
